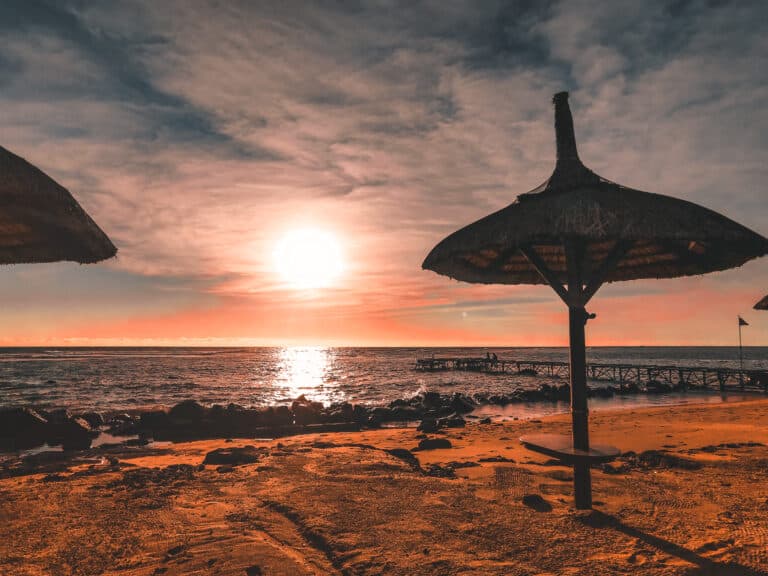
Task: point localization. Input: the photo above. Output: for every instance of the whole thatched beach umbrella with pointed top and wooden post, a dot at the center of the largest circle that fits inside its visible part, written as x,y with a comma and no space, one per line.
575,232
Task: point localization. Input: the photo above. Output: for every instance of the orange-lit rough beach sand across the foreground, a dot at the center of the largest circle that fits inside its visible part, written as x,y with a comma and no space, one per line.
342,504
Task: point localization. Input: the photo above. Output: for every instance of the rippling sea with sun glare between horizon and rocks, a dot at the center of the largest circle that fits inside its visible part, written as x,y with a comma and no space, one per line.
109,379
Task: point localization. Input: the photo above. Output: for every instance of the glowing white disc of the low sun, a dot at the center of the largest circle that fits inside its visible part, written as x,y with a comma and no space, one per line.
308,259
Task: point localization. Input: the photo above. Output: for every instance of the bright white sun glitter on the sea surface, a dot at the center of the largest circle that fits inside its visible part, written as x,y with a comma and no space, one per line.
309,371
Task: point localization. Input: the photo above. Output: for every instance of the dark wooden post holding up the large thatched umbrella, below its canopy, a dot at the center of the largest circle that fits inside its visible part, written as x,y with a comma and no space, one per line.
582,480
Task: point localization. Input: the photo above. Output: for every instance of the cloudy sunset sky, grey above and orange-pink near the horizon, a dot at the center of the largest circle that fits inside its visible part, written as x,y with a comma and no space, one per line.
200,134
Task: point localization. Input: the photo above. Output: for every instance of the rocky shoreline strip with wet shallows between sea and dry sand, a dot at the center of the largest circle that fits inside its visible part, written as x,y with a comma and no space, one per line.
31,430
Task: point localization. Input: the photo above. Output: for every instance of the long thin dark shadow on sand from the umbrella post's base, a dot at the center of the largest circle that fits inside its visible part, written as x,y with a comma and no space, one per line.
704,566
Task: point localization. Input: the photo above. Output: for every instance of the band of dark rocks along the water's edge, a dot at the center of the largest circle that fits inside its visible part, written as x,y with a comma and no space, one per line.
26,428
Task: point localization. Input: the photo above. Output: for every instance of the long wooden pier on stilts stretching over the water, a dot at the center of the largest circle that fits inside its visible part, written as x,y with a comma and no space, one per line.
641,375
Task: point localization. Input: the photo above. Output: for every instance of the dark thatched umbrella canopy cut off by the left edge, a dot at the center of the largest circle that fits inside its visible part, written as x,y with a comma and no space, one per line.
40,221
